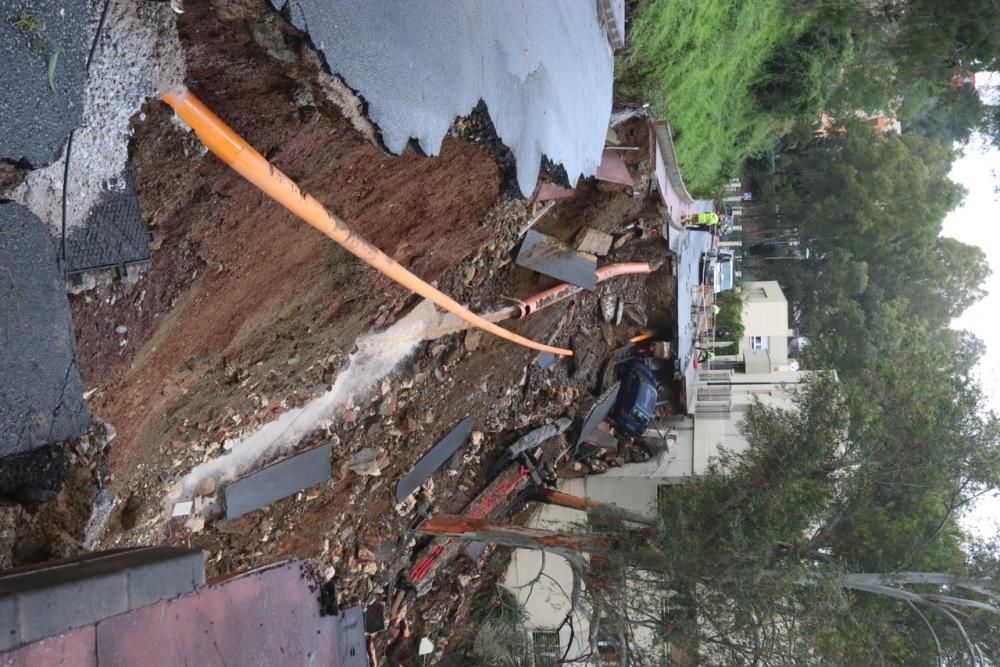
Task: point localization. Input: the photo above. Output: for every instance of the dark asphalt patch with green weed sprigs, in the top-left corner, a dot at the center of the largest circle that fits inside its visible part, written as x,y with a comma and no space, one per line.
37,118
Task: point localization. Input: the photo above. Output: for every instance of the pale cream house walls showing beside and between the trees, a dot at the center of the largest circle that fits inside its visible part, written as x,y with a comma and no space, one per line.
716,406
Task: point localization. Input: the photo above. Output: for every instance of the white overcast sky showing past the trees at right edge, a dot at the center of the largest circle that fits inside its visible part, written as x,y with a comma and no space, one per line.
976,223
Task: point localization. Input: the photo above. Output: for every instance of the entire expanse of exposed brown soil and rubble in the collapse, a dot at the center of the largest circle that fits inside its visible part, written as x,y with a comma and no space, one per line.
245,311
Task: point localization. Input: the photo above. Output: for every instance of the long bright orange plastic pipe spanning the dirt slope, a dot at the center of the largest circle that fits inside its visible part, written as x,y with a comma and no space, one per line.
241,156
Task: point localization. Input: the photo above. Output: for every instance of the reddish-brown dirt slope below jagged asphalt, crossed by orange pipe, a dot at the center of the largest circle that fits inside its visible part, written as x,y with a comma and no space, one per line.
236,277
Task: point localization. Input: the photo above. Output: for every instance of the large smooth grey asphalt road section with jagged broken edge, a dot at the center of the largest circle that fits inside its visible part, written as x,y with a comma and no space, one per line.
419,65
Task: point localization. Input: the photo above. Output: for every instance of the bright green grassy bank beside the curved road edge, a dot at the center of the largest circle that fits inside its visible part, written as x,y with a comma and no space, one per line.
696,62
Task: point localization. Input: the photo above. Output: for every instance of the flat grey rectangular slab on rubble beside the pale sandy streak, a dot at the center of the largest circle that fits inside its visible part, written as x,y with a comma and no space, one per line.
278,480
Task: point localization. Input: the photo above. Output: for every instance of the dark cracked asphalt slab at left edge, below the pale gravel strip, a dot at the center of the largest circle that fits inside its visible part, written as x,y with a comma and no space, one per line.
41,395
